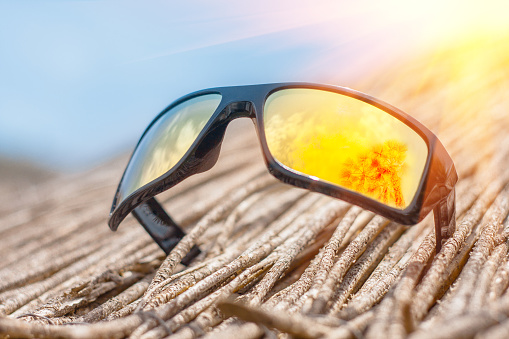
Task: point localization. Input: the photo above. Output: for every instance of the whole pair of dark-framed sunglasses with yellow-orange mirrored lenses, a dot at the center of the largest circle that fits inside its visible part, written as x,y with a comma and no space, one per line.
327,139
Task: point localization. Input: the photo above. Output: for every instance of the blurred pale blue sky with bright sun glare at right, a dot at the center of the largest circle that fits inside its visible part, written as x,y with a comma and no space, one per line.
80,80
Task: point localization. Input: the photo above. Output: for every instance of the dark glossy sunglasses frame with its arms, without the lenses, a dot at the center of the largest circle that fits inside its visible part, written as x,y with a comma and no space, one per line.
435,190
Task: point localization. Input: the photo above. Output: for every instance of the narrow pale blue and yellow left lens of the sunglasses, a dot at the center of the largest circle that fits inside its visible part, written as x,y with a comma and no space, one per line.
167,141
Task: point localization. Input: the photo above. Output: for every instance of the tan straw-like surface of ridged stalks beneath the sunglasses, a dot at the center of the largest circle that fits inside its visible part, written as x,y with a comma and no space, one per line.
278,261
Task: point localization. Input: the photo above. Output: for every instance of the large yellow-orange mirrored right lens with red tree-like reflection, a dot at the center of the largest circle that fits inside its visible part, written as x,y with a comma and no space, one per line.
345,142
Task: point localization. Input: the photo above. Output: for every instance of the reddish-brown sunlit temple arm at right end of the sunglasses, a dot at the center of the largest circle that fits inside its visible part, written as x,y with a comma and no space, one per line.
445,219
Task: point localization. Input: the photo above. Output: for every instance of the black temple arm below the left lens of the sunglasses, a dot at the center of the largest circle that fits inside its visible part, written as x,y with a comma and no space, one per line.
161,227
